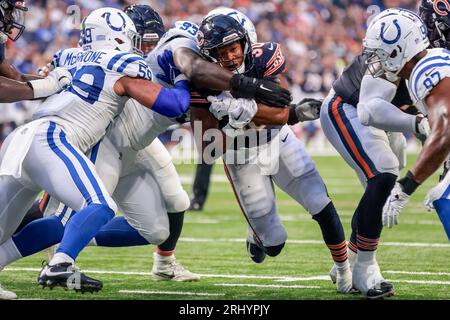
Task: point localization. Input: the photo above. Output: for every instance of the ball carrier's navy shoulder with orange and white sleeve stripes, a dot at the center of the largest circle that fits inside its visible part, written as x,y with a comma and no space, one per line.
269,59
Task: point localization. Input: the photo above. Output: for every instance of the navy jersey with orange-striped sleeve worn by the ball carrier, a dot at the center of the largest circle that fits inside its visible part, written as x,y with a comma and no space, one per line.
268,61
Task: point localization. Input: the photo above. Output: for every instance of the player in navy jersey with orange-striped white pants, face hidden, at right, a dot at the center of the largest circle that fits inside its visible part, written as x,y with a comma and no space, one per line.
354,119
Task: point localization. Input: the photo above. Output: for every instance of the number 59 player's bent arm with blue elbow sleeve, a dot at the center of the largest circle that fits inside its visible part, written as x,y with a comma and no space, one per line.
168,102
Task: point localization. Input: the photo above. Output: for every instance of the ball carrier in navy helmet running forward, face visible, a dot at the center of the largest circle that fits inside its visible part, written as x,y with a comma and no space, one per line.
224,41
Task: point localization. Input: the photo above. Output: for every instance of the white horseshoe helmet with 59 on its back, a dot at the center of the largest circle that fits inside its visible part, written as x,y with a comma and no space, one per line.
109,28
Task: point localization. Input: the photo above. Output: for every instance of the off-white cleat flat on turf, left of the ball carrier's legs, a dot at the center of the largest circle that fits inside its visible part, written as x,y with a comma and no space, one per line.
168,268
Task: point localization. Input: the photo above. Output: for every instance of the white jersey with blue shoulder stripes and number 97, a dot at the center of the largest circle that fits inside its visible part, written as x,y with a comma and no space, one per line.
426,74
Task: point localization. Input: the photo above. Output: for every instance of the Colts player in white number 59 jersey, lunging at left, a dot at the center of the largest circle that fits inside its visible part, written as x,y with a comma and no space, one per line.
49,151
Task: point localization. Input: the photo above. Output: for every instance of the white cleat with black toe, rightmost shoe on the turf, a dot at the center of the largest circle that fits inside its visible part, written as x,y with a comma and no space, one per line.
368,280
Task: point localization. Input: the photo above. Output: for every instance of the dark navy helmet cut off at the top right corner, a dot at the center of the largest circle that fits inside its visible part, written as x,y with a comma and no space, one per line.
436,15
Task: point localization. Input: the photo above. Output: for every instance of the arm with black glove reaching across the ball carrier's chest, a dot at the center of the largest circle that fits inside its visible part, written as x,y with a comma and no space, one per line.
210,76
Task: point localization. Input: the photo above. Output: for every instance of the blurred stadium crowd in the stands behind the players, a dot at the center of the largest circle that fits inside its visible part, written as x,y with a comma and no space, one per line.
319,37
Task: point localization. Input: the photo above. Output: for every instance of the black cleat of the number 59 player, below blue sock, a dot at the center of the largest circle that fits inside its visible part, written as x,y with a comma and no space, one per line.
66,276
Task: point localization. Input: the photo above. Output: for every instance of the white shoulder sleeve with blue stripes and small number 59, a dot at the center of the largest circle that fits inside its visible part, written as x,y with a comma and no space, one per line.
130,64
